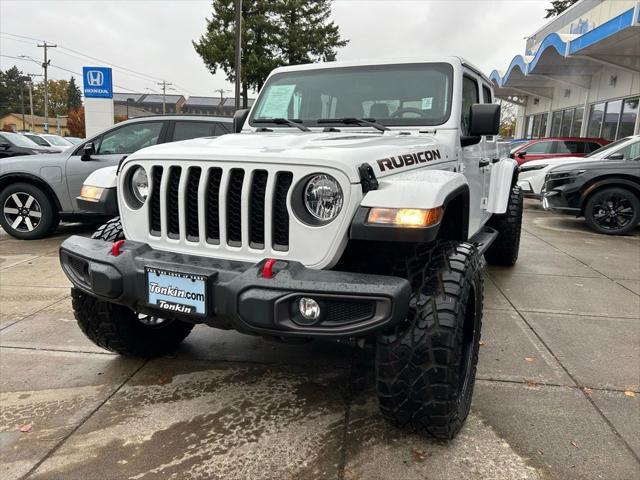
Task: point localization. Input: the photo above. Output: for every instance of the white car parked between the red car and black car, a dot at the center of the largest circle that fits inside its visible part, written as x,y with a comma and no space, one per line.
531,174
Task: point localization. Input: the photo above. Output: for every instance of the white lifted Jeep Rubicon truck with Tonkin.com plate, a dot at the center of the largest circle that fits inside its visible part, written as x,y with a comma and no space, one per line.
356,200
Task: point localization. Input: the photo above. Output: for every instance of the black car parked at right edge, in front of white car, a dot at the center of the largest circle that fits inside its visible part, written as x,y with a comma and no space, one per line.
605,193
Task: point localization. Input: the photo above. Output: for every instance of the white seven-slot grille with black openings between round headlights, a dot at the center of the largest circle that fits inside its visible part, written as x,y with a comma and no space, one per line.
223,190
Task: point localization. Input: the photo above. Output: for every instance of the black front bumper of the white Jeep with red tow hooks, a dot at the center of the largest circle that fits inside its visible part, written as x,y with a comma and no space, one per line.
237,294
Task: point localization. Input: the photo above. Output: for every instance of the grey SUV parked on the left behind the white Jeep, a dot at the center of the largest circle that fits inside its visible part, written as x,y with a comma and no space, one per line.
37,191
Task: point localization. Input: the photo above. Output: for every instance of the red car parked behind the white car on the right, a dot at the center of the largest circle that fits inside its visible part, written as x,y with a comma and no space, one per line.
554,147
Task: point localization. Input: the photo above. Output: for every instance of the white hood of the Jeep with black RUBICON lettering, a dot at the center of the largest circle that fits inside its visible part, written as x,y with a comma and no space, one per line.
388,153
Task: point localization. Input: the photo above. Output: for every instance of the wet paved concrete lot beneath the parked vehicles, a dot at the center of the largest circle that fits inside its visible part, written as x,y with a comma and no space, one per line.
558,395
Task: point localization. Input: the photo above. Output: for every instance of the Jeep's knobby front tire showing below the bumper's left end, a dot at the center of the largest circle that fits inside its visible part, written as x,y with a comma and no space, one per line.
117,328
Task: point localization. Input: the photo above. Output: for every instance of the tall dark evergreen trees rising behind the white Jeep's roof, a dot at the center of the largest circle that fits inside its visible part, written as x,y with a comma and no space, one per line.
274,33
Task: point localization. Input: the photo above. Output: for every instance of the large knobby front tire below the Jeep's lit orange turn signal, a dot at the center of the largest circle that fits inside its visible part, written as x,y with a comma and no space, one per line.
426,366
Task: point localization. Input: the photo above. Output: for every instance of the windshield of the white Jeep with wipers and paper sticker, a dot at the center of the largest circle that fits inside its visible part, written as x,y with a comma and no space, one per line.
406,94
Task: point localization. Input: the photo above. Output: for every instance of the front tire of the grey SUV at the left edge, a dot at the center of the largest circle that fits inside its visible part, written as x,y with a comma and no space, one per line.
48,220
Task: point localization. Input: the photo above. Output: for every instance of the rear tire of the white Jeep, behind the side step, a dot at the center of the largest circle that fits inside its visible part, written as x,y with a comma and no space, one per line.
504,250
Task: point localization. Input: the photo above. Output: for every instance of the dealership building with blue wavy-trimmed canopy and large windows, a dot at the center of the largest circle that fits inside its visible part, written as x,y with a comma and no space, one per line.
579,75
